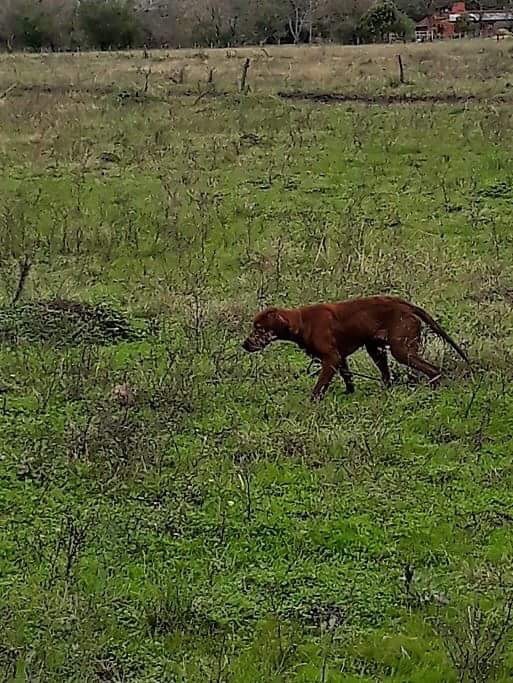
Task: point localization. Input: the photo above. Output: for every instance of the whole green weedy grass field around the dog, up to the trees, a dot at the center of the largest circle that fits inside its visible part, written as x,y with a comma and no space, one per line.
211,524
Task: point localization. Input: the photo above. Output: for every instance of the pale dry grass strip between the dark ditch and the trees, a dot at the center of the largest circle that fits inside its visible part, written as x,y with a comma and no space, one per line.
482,68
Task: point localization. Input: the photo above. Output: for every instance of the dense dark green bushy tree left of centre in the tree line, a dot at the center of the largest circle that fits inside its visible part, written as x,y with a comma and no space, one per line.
108,23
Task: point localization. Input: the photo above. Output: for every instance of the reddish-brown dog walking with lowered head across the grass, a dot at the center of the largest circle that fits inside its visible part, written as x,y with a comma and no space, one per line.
332,332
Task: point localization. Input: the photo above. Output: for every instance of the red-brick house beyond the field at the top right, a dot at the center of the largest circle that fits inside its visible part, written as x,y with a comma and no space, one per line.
445,23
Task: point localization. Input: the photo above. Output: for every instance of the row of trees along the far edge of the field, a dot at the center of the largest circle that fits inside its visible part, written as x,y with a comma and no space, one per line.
115,24
